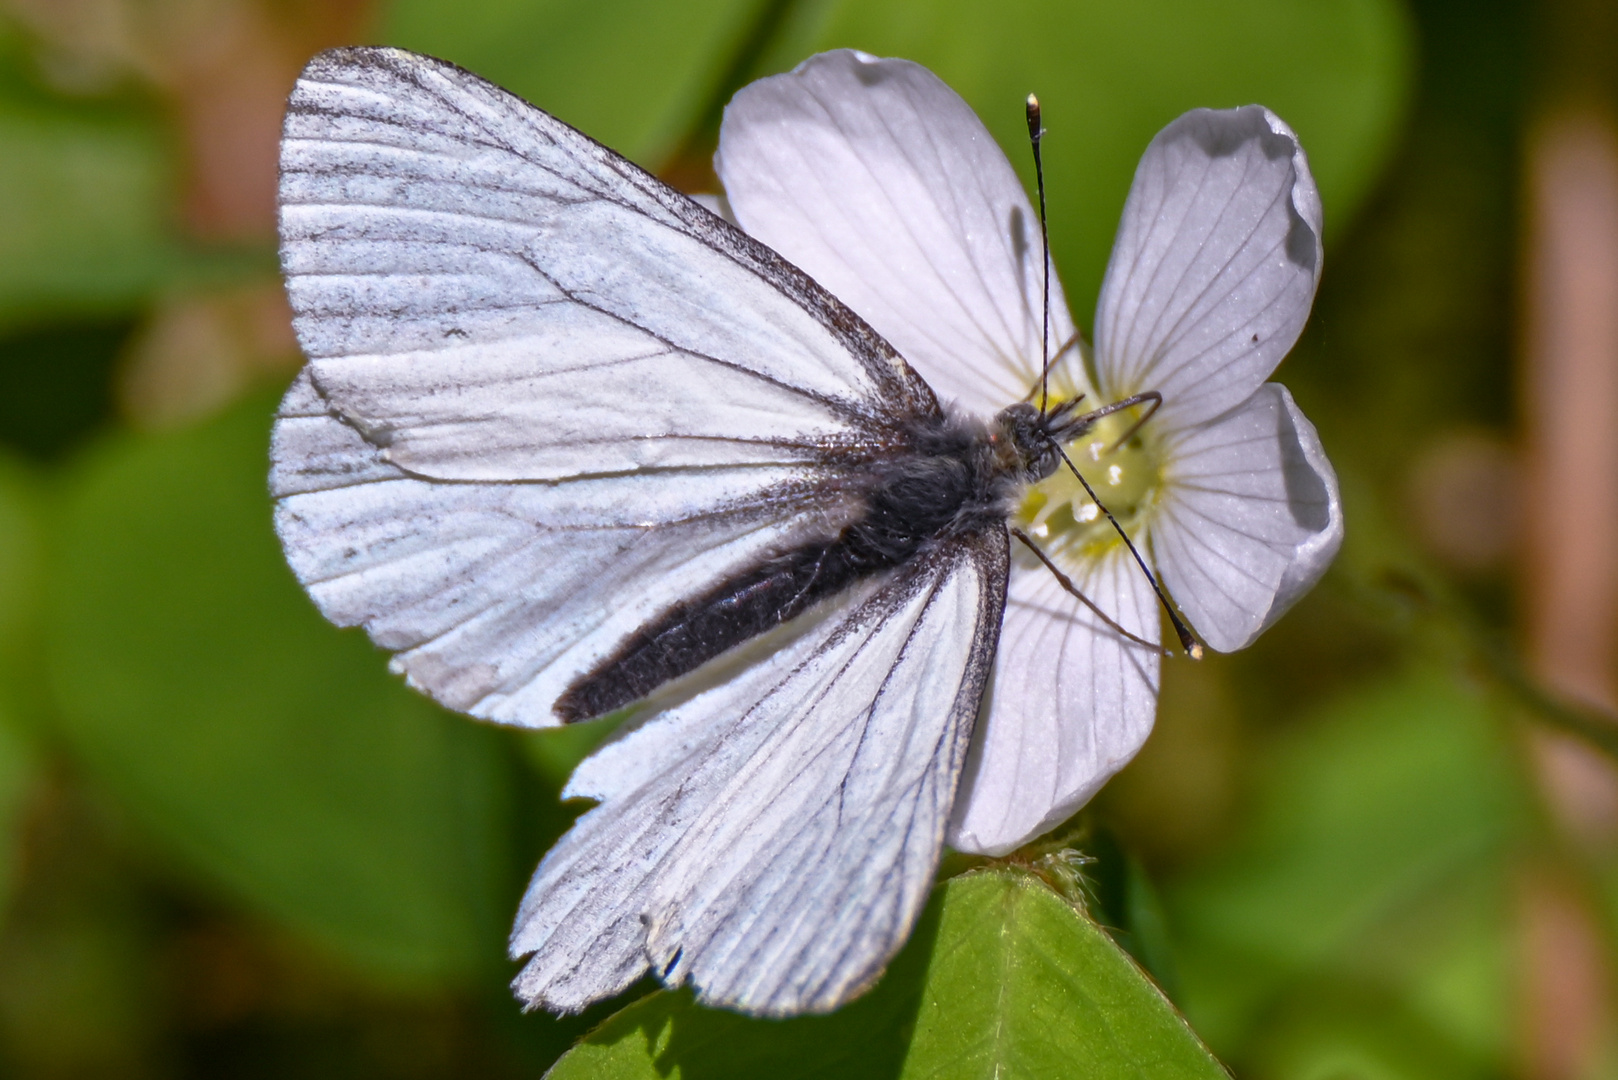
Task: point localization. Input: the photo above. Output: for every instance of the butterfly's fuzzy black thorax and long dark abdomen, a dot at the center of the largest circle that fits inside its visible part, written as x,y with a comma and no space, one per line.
946,485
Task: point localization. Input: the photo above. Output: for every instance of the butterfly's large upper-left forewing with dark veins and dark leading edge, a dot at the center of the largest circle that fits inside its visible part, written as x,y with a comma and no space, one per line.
464,266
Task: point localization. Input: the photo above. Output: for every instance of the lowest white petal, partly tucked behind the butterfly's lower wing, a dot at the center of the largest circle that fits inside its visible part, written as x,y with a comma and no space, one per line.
1070,704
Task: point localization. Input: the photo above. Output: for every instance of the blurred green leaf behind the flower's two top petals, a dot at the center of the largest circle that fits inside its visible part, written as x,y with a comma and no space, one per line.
1112,75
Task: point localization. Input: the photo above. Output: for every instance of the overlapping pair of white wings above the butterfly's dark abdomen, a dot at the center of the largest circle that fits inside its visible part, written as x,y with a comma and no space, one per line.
630,398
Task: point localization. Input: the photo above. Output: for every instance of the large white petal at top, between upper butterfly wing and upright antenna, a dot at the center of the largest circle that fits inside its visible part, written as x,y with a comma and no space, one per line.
886,187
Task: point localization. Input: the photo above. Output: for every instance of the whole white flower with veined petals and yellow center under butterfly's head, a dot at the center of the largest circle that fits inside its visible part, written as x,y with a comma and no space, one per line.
883,184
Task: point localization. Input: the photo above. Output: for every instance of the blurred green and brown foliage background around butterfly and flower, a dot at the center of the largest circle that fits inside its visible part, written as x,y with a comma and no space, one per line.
1379,844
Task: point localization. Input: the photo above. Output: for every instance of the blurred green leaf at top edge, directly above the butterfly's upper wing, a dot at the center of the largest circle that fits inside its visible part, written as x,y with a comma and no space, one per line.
633,74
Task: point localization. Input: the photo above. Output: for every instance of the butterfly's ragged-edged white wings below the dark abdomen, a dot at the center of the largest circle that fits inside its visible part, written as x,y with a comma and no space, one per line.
786,841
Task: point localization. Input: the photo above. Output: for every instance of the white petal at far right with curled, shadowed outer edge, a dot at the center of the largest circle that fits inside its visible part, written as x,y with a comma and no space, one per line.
1250,519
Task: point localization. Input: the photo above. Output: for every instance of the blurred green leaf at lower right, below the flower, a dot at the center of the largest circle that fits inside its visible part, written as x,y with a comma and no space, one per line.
1379,853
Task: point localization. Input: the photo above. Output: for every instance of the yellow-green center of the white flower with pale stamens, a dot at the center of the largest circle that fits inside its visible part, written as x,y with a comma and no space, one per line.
1061,516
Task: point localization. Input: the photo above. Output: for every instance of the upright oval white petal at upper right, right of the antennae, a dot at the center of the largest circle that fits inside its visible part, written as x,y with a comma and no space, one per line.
1216,265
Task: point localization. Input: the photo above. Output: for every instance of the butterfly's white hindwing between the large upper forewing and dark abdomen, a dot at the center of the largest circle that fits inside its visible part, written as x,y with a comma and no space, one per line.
498,597
